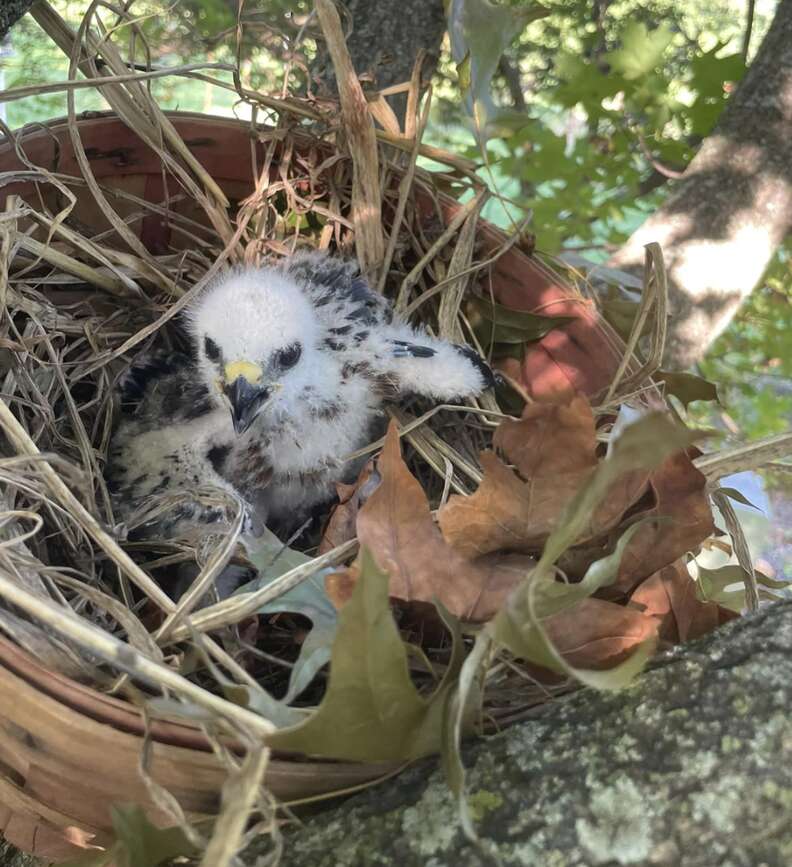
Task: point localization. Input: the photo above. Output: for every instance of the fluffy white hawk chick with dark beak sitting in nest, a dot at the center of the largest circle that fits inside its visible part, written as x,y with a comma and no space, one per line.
291,365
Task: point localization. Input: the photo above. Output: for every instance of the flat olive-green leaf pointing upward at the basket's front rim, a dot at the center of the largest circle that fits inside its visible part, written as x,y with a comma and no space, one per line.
371,710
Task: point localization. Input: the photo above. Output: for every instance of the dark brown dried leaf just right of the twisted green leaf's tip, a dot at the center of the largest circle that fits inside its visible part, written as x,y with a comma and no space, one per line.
680,498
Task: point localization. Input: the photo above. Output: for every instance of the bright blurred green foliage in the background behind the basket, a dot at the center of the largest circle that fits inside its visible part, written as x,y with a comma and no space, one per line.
592,107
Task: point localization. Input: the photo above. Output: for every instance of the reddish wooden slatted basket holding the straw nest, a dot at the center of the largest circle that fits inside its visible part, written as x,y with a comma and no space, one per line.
67,752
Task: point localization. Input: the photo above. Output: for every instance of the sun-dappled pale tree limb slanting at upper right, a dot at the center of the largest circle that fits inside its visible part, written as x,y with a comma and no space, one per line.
733,207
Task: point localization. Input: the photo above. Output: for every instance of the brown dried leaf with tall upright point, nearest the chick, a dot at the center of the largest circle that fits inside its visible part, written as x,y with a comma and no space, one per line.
396,525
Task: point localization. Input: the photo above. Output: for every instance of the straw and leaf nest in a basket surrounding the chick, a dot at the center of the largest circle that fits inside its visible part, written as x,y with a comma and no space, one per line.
112,224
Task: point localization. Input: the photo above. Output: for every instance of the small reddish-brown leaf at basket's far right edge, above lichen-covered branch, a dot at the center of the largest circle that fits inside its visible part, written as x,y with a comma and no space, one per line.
669,598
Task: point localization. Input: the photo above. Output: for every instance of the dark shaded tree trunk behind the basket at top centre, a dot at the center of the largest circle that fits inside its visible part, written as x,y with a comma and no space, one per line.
384,38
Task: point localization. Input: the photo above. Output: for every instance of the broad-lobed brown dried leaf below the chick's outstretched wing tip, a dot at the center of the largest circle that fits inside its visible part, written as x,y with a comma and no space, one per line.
553,451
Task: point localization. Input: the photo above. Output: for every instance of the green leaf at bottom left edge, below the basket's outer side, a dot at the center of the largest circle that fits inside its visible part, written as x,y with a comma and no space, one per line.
139,843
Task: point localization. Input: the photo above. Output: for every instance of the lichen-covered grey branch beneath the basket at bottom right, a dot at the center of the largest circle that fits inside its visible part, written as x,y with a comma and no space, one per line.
690,767
